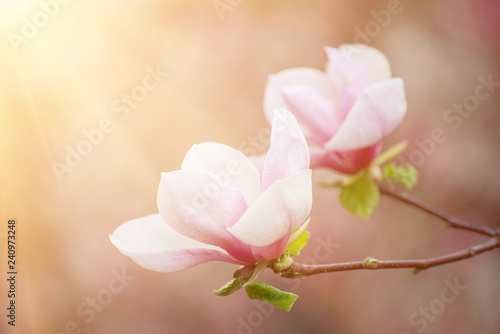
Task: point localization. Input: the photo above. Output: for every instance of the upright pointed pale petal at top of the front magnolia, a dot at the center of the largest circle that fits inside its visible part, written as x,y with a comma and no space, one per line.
288,153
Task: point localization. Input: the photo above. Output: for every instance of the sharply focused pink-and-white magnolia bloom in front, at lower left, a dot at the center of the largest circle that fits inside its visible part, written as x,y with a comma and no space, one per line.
219,208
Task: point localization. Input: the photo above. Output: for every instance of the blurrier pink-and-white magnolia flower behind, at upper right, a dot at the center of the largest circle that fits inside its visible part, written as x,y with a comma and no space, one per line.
346,111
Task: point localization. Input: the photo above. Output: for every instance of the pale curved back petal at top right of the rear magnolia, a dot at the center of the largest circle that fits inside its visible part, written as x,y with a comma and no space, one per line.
372,60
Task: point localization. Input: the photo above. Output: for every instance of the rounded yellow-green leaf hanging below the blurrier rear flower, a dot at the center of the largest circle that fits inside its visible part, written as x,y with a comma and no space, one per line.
361,197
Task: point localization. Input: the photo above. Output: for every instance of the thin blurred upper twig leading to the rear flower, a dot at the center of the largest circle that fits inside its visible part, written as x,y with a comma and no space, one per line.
452,221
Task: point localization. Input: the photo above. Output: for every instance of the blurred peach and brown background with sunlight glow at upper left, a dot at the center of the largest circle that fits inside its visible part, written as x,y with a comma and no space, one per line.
97,98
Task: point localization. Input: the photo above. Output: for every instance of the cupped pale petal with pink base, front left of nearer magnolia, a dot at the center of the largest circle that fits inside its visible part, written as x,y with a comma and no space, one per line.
199,205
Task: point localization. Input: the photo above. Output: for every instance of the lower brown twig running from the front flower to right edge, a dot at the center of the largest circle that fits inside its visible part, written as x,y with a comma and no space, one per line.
297,270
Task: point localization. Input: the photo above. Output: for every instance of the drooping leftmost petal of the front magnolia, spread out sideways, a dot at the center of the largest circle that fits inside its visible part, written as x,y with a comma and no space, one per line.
155,246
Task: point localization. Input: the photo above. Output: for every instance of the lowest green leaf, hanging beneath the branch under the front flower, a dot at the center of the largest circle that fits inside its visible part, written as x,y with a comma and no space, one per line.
267,293
